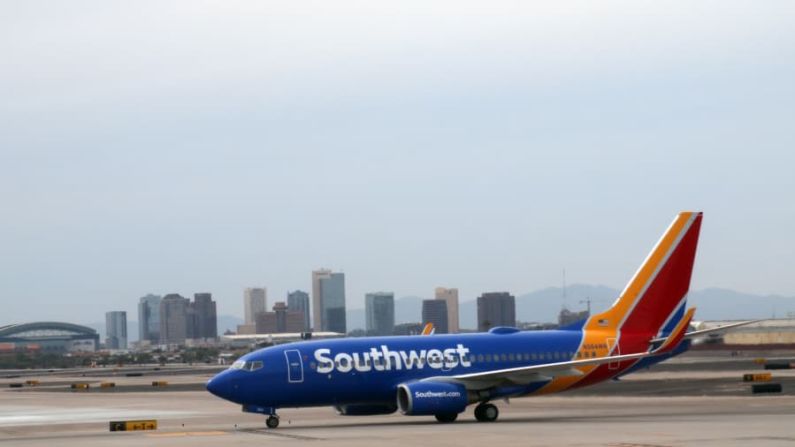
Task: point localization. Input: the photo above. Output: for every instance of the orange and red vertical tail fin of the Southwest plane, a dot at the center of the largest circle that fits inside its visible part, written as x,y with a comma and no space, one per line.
658,289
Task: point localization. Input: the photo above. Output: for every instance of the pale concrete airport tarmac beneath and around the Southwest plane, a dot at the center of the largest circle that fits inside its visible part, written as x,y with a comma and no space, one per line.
648,409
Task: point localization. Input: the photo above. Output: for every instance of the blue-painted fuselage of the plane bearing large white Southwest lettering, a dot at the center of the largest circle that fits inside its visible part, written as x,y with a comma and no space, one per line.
369,370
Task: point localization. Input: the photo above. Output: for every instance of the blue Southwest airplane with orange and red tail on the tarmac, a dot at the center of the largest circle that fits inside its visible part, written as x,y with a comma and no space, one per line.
441,375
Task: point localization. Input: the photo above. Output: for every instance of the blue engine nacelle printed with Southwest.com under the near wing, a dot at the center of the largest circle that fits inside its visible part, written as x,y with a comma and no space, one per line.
430,398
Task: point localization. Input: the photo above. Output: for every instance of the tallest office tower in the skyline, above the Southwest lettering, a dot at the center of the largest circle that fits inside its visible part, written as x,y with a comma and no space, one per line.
328,301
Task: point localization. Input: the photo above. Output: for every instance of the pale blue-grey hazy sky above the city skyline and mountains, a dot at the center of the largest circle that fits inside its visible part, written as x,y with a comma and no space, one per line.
208,146
